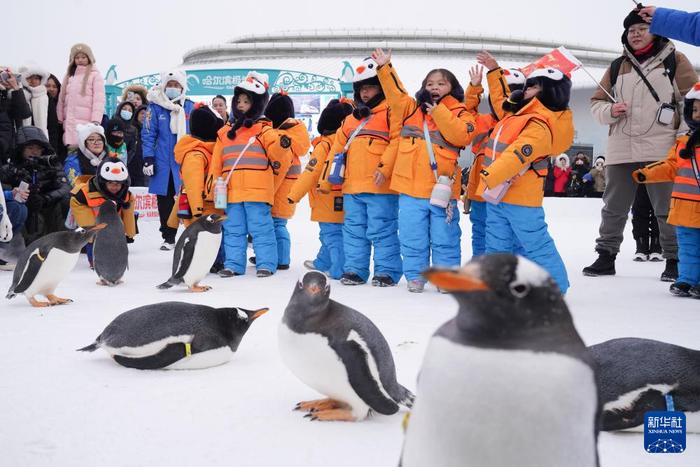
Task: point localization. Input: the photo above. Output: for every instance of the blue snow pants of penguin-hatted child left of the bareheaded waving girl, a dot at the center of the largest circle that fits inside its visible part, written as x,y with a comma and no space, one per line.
371,220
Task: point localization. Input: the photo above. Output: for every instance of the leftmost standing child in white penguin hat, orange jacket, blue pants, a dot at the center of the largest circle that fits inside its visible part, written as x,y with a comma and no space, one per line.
253,154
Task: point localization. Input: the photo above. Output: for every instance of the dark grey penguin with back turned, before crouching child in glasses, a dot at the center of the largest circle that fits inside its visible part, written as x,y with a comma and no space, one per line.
110,252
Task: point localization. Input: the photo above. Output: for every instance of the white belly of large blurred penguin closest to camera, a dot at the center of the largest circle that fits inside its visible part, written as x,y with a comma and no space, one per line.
491,407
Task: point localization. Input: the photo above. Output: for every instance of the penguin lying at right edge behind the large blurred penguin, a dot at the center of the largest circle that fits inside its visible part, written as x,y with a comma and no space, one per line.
636,374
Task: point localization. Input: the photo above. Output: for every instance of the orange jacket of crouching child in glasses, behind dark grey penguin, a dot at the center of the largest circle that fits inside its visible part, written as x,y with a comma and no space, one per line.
85,204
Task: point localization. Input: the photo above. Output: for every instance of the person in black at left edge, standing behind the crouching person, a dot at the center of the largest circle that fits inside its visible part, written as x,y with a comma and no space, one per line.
13,109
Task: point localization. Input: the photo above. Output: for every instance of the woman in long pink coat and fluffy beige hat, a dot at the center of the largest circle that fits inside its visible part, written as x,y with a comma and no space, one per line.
82,98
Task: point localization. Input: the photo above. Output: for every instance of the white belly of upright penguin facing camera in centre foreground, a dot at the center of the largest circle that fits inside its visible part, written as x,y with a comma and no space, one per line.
310,357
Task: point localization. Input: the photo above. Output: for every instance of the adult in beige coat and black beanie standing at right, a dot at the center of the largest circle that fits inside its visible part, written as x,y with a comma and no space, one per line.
640,99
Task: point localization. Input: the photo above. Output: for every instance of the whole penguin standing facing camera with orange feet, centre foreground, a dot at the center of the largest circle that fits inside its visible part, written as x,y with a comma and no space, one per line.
340,353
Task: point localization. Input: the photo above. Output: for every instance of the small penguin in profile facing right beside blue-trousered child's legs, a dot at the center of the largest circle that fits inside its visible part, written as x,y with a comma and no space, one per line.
195,252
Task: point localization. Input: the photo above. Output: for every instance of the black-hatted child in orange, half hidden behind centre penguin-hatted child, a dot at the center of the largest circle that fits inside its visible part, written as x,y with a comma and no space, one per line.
326,208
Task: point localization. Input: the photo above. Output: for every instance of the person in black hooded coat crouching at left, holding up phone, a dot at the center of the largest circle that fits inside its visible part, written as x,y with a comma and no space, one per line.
38,182
